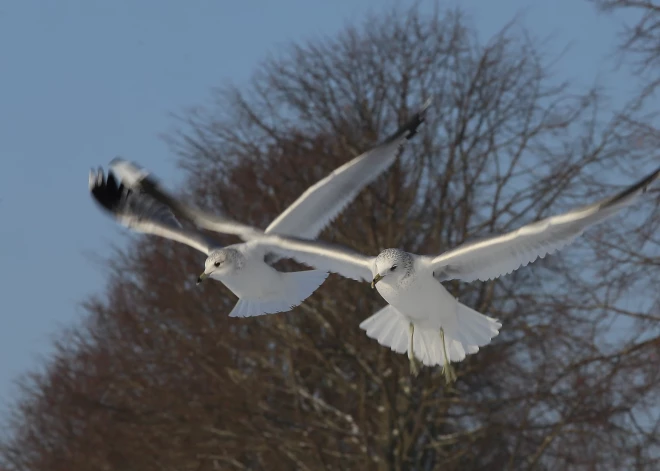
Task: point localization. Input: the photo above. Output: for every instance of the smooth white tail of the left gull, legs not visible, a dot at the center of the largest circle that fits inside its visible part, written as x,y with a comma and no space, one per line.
295,288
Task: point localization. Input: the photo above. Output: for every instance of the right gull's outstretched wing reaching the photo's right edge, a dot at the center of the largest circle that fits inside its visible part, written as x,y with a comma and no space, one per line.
500,255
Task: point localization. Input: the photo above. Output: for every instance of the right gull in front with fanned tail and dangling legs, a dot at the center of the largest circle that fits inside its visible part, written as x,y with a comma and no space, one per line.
422,318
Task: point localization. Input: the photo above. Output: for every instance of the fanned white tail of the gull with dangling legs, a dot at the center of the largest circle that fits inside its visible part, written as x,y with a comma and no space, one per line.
391,329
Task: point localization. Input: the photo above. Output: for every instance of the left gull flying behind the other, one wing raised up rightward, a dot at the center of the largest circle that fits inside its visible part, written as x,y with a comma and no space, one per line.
245,267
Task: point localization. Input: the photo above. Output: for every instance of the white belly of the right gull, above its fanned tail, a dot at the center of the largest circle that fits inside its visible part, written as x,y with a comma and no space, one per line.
425,302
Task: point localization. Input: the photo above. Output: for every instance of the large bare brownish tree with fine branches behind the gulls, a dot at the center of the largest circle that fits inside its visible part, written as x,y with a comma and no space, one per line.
159,378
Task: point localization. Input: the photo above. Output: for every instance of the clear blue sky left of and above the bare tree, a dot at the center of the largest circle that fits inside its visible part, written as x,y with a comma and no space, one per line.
83,81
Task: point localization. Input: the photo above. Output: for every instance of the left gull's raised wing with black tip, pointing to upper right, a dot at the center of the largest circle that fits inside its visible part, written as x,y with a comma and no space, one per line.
322,202
